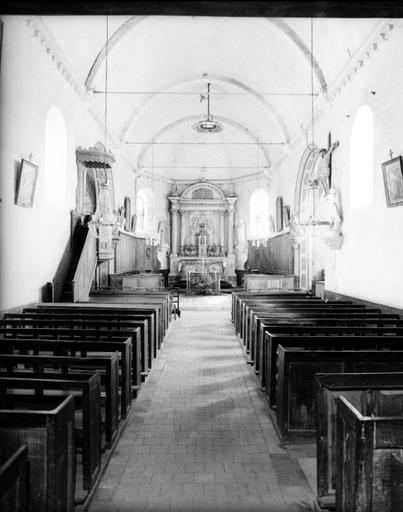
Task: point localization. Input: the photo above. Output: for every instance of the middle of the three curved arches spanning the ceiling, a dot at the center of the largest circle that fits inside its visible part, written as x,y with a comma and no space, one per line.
220,78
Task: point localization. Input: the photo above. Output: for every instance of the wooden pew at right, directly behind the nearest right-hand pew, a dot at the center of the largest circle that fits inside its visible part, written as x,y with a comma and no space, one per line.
363,391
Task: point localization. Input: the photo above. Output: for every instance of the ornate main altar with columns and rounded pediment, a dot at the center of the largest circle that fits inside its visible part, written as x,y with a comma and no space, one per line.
202,232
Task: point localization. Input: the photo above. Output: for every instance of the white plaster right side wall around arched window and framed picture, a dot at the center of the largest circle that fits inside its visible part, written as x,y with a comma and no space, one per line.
369,264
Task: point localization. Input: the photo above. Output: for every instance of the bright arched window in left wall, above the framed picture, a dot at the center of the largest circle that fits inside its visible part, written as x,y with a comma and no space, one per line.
55,159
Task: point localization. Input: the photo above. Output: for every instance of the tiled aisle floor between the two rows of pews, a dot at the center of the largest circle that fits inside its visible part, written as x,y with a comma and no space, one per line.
200,437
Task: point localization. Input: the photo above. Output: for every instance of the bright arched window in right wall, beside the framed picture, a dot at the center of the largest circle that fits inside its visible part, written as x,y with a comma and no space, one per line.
362,165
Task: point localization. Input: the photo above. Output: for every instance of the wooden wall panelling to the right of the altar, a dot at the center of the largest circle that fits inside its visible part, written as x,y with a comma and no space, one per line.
275,257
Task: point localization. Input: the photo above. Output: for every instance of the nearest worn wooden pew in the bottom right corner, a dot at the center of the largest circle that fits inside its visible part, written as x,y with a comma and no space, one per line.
364,455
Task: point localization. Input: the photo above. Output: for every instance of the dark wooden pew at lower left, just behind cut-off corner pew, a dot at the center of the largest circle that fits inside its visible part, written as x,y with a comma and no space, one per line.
48,430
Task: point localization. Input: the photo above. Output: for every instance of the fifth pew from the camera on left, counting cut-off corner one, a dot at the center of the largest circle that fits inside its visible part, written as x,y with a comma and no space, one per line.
81,349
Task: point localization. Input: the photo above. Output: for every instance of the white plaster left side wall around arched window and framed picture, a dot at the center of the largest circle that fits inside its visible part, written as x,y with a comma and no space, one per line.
33,239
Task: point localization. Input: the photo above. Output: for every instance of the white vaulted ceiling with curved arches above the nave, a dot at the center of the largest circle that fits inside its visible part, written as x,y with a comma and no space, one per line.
156,70
